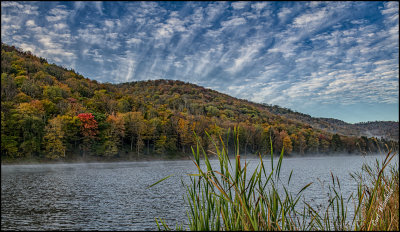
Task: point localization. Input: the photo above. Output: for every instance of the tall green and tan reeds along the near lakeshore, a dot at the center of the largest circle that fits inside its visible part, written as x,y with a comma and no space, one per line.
230,197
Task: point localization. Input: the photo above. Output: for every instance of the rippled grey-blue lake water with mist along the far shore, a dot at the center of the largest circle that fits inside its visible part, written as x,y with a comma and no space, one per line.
113,196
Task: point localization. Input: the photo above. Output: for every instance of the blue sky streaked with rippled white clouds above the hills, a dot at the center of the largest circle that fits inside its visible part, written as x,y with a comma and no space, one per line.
326,59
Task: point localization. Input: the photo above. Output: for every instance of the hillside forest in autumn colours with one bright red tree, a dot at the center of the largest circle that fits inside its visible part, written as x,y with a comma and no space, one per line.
50,112
